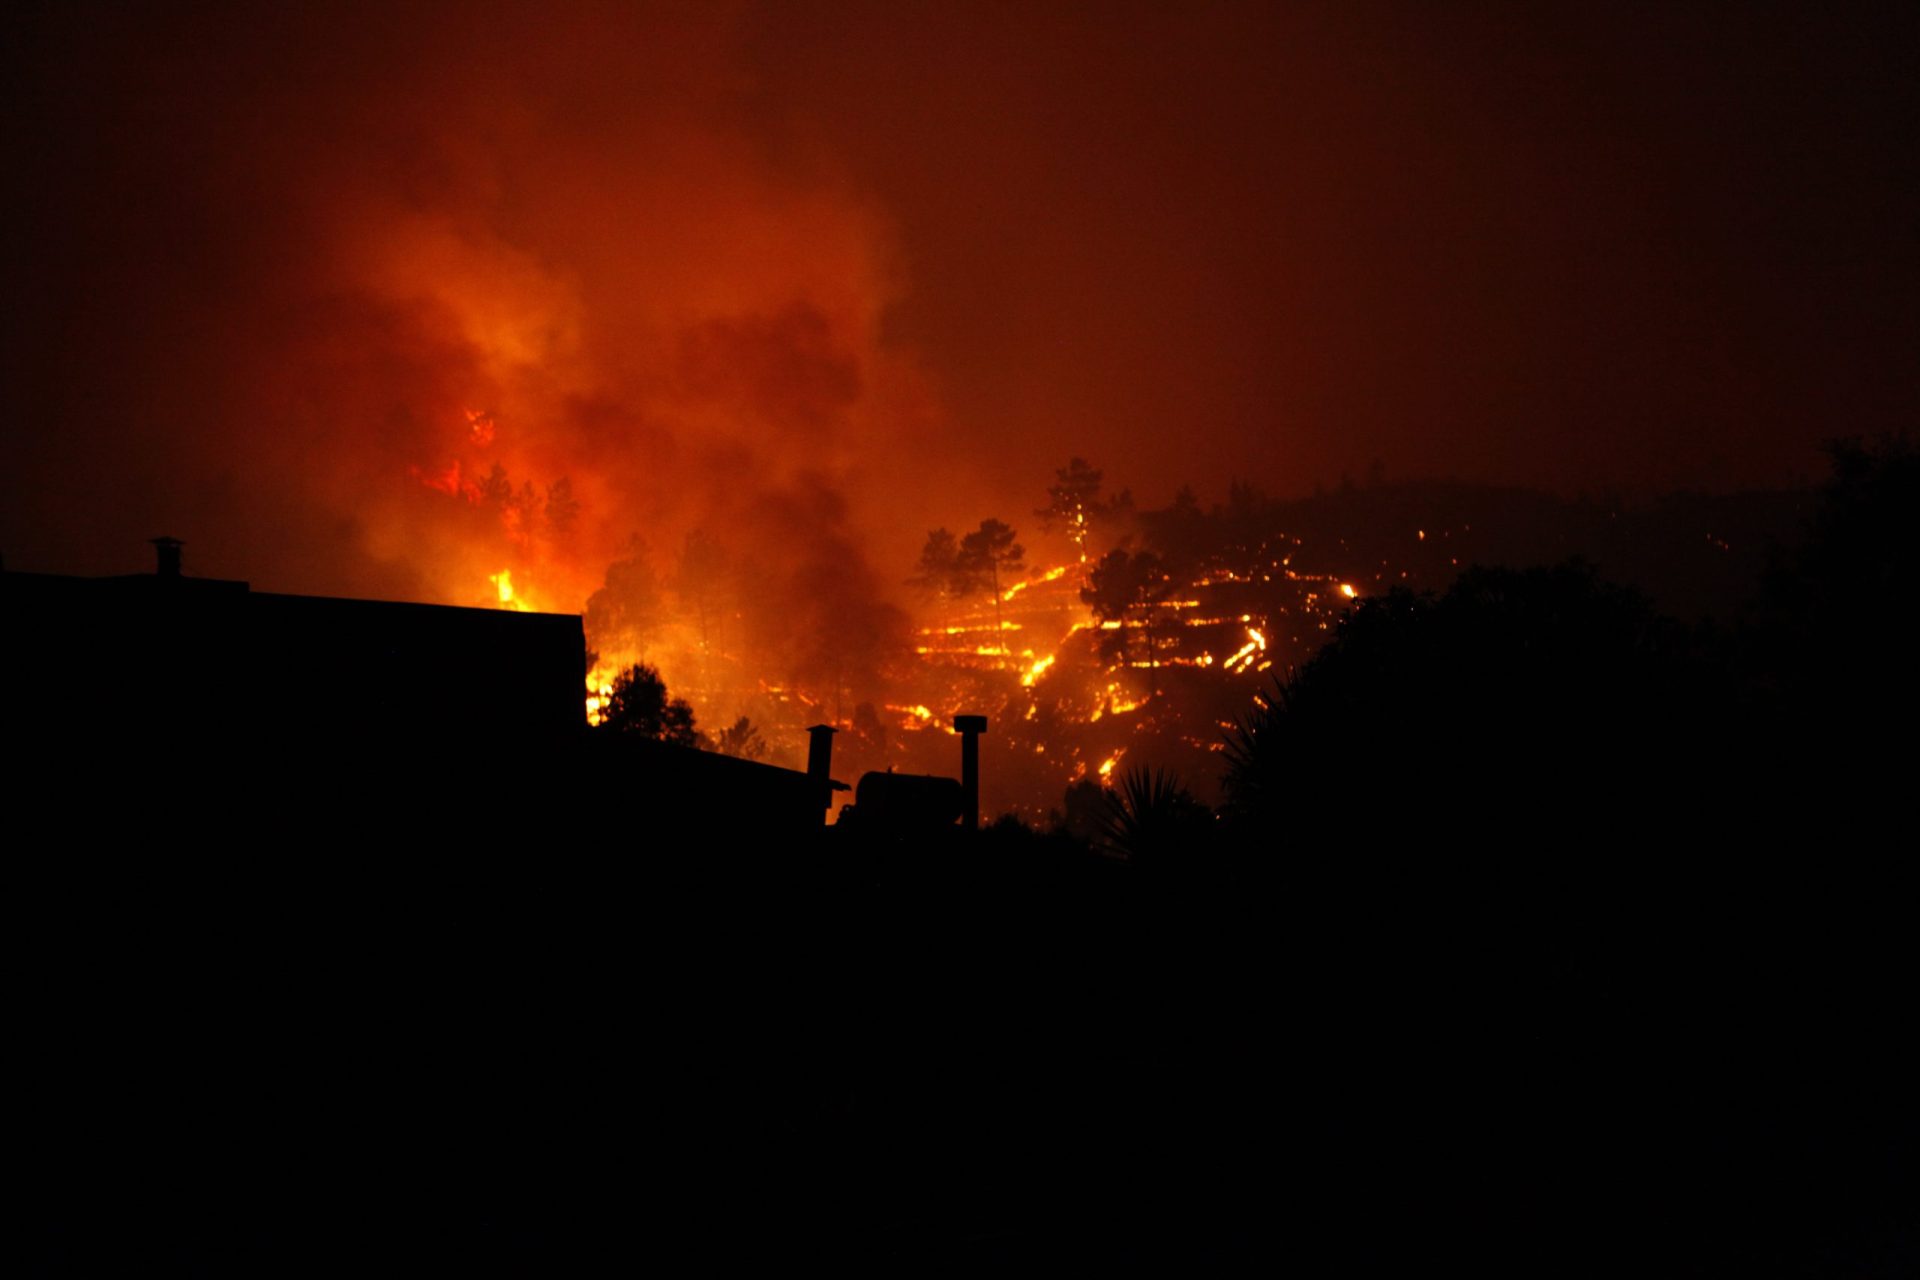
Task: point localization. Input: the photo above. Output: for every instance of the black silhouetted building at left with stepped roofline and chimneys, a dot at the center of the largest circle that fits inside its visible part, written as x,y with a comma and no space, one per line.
252,717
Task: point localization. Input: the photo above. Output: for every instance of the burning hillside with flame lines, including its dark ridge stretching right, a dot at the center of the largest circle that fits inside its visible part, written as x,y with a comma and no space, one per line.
1093,636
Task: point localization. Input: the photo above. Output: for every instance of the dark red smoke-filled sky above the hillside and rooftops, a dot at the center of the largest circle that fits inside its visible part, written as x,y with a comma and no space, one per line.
343,293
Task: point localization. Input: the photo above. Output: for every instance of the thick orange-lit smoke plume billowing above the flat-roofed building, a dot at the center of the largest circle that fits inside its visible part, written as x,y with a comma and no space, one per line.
444,304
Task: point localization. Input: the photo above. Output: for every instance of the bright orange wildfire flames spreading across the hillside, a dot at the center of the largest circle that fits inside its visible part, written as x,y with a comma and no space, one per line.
976,648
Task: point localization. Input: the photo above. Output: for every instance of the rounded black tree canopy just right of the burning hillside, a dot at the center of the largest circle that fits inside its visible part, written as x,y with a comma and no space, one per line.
1512,694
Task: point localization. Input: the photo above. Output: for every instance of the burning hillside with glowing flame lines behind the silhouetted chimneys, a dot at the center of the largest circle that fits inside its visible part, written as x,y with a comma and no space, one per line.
1115,655
